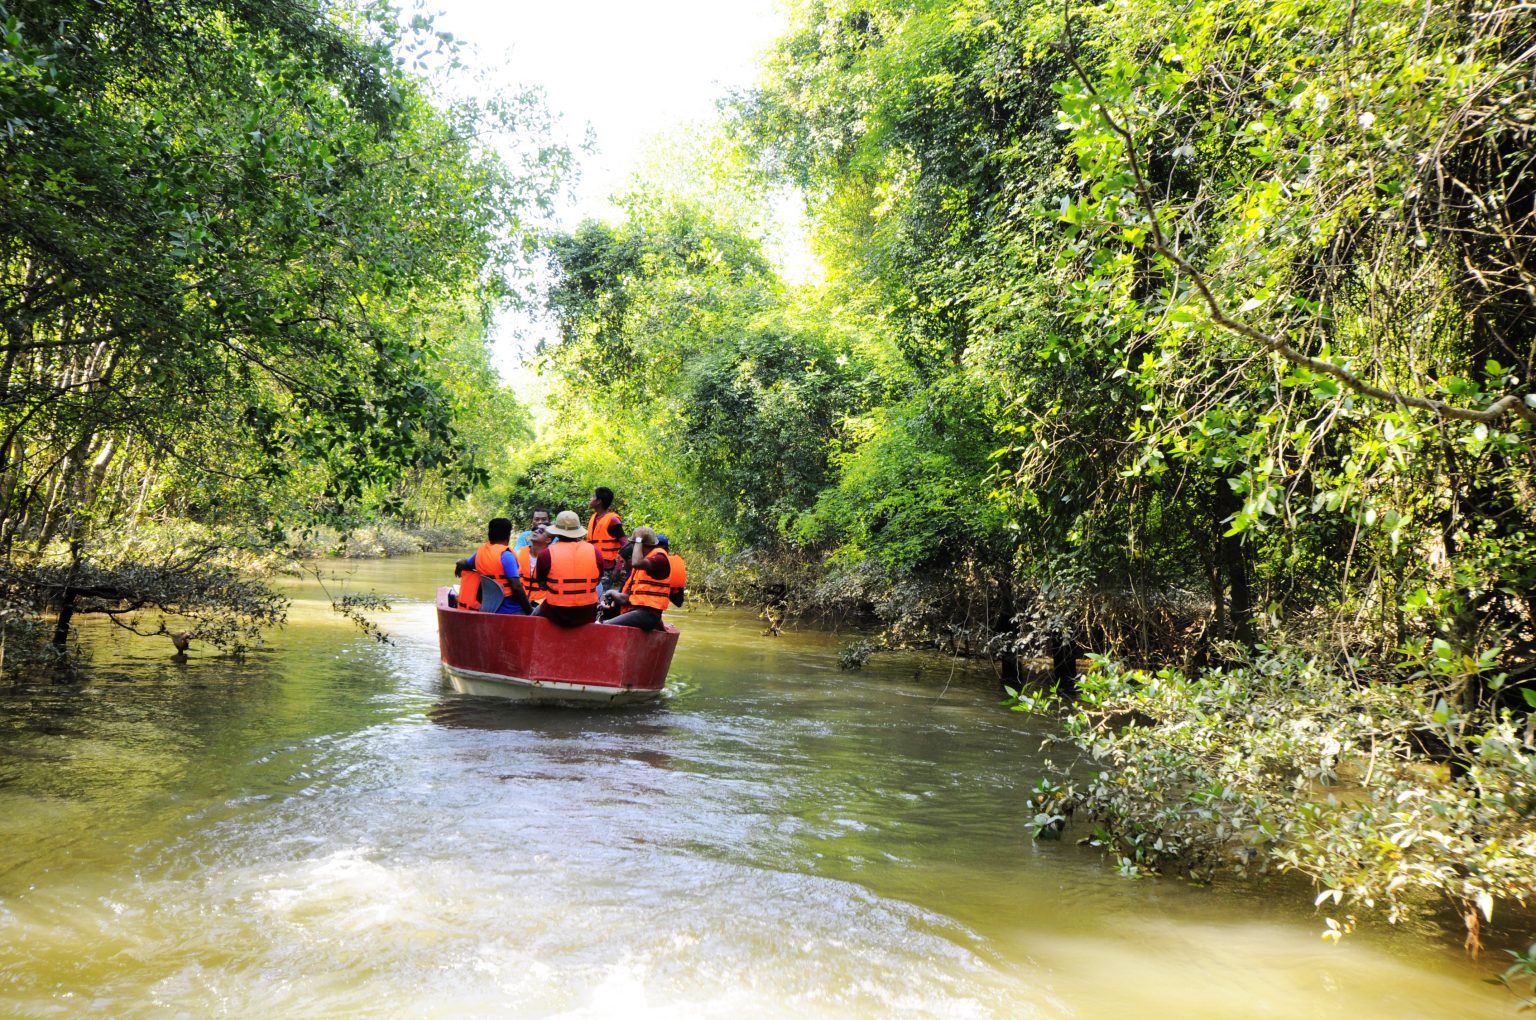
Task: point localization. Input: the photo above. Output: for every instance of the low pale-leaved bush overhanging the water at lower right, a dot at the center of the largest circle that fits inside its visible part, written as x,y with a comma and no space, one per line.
1286,764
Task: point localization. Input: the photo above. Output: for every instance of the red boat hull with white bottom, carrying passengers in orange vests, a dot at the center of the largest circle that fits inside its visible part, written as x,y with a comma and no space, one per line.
528,658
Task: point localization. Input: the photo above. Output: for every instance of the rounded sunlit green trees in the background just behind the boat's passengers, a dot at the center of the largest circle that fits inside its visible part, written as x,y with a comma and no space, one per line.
689,380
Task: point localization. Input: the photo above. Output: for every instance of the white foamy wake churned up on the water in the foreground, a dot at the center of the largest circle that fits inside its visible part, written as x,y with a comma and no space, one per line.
353,932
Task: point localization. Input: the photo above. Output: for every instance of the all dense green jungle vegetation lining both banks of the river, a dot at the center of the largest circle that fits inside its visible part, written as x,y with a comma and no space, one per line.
1196,337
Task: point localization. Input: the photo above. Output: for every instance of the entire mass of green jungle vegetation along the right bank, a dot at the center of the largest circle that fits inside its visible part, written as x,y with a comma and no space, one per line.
1199,337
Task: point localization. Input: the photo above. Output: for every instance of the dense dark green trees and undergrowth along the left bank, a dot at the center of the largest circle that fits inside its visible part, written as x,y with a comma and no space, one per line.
247,270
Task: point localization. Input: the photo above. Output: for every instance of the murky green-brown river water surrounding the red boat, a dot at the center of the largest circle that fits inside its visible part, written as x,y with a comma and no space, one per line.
326,830
